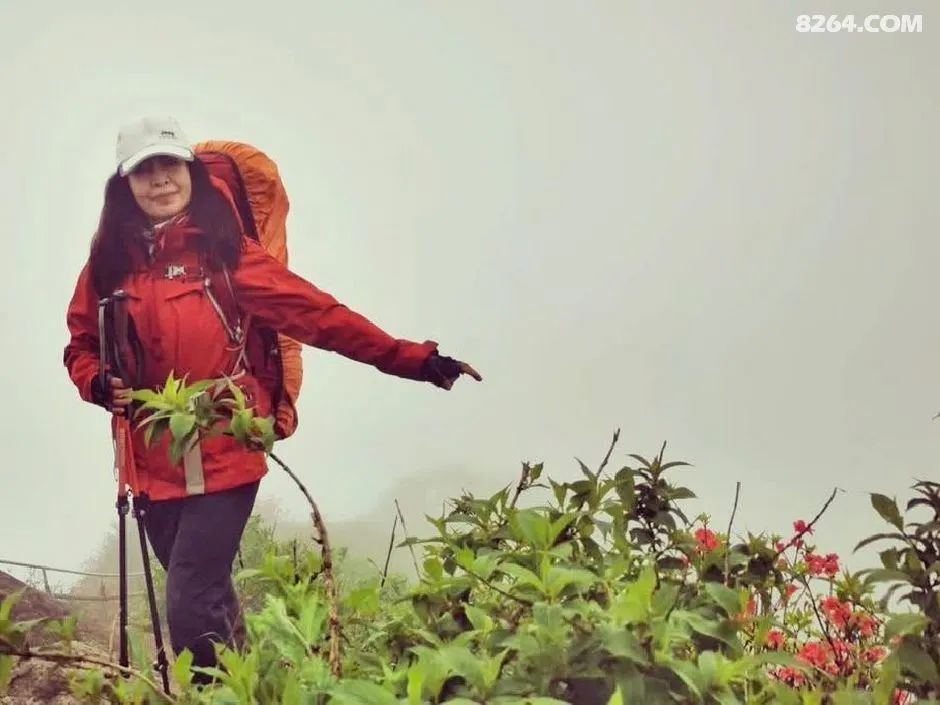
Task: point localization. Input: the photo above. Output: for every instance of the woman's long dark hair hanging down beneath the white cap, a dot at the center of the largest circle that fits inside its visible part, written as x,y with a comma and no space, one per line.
122,222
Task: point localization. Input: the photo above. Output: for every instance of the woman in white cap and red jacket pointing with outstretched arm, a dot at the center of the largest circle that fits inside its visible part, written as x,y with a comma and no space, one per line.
166,227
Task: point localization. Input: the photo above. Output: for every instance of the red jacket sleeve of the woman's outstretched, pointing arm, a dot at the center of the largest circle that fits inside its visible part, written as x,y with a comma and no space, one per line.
271,293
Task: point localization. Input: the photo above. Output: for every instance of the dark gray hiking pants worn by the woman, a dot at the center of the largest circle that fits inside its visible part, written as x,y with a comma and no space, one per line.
196,539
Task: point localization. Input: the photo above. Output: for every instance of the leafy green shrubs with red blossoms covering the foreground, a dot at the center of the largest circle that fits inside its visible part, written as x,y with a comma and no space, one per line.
605,593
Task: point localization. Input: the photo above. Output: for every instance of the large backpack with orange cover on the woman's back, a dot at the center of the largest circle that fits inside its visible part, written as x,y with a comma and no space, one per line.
261,199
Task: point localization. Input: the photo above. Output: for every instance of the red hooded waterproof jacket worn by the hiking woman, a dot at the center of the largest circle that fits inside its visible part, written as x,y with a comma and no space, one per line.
181,331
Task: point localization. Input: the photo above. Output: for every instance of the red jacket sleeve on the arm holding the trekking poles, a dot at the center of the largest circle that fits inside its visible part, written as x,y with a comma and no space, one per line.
81,352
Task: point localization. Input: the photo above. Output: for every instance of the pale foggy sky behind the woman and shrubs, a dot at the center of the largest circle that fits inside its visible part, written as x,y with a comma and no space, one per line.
684,220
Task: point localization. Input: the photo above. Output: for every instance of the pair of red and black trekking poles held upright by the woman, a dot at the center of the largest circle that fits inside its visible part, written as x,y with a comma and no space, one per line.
112,332
